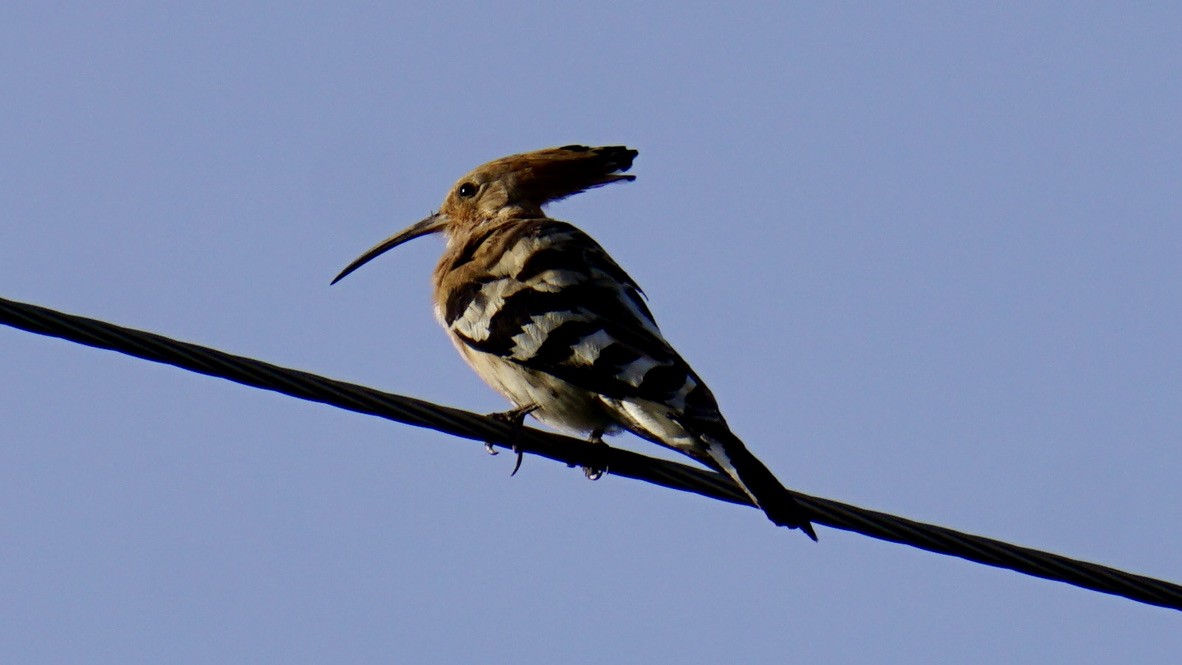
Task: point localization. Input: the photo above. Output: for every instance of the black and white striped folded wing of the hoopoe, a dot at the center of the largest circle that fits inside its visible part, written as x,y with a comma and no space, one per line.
558,304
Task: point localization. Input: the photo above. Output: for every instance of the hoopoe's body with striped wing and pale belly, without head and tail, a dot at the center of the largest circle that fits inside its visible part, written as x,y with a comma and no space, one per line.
541,302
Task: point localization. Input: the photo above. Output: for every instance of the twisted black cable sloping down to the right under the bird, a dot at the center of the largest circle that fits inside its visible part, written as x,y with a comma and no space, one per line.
580,453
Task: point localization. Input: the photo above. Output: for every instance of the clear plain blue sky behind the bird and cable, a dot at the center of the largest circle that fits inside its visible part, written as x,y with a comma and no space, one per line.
928,257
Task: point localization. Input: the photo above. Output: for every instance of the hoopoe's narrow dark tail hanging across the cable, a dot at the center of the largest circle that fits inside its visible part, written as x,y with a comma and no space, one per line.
758,481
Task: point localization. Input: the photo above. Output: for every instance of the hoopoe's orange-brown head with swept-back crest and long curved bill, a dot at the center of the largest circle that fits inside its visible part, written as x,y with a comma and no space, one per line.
515,187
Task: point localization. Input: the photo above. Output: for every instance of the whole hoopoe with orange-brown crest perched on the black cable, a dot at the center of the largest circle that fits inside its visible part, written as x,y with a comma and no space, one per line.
549,320
